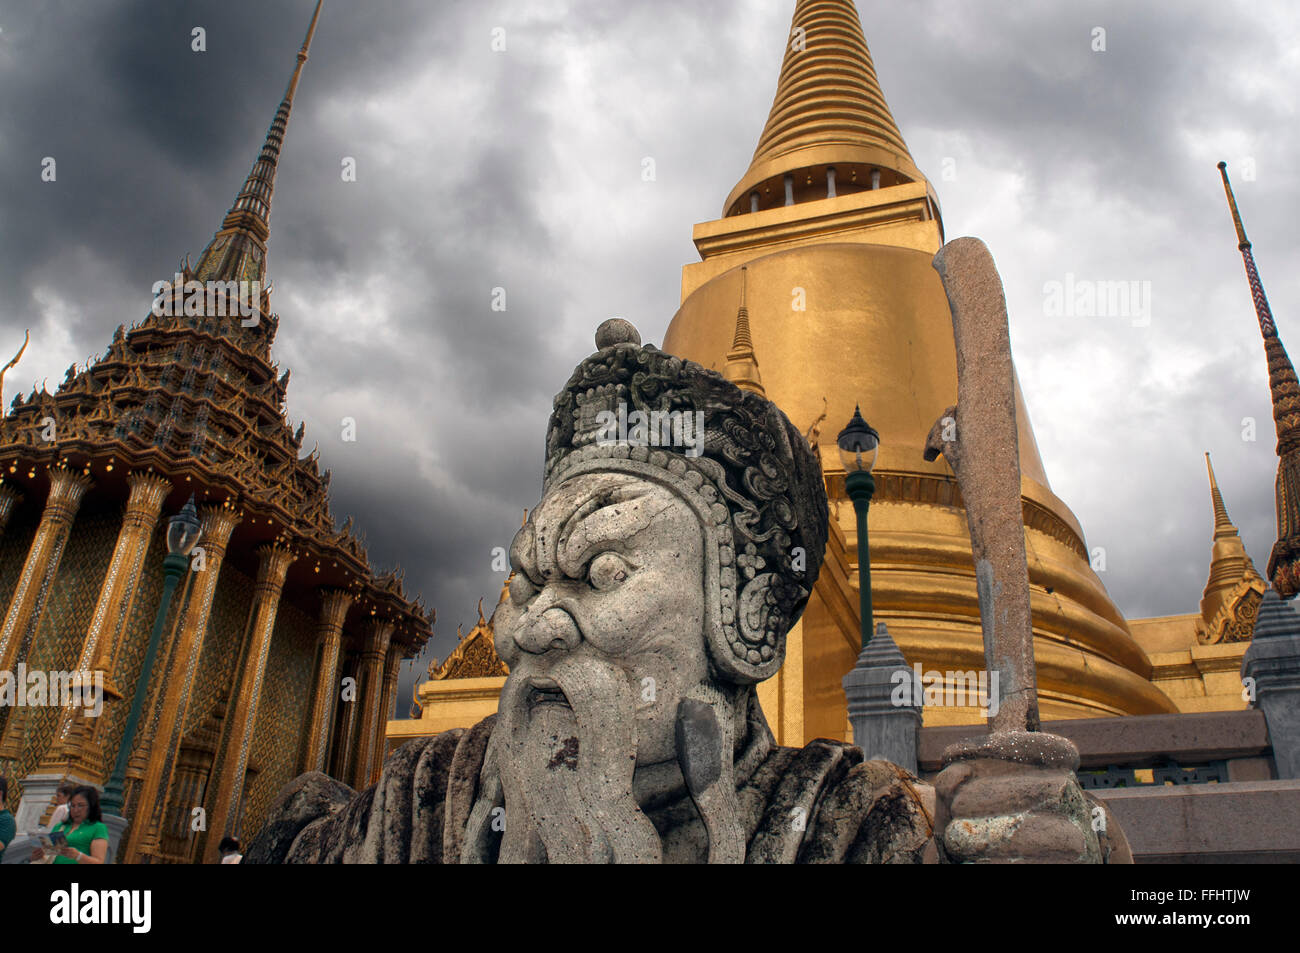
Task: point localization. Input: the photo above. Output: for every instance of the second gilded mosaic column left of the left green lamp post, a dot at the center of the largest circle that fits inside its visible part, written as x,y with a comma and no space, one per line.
28,604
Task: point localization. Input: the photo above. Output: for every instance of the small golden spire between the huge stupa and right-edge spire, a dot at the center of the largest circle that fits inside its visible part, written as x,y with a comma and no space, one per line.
1234,590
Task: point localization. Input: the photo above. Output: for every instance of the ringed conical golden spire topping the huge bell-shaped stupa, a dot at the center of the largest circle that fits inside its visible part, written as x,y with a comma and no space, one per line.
829,112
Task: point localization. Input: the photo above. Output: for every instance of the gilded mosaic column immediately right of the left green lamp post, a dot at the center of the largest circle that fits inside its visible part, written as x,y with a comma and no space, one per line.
168,716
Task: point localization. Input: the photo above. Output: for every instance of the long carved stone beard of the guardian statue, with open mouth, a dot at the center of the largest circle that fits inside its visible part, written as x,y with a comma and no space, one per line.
565,755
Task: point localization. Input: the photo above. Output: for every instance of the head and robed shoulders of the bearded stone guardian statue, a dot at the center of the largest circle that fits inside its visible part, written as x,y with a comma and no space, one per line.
681,532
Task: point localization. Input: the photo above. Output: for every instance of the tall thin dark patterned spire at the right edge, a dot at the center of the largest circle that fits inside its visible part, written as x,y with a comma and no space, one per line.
1285,561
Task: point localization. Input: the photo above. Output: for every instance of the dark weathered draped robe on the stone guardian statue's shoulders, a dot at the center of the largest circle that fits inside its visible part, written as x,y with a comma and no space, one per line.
821,804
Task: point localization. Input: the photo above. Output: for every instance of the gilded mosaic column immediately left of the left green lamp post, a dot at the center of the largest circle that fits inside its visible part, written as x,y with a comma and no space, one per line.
79,755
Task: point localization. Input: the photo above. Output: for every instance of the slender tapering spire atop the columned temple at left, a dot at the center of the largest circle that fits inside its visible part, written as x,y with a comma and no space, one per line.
239,252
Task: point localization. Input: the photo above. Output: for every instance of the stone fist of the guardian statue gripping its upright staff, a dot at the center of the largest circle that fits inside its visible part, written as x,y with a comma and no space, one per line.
1015,799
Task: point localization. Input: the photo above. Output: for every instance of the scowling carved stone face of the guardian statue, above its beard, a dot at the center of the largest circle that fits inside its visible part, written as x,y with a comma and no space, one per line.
609,587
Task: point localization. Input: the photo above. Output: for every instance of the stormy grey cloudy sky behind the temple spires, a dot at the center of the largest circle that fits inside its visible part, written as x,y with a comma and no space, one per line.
522,170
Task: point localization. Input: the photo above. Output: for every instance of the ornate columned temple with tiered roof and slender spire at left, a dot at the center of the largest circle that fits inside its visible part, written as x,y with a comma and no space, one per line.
281,648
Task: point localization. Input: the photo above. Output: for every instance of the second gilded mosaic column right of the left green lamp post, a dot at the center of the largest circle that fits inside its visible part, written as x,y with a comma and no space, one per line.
224,821
